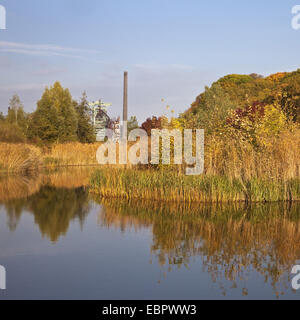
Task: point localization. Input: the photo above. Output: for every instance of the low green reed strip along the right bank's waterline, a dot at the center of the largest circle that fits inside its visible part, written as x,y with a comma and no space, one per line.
167,185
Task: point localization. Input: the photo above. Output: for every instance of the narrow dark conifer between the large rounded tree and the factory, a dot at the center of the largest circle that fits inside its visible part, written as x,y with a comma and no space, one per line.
85,131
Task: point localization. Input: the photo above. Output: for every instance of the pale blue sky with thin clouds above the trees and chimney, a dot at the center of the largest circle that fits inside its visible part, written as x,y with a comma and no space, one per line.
172,49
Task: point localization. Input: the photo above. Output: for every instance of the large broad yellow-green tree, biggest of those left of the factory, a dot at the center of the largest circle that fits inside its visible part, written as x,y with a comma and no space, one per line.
55,119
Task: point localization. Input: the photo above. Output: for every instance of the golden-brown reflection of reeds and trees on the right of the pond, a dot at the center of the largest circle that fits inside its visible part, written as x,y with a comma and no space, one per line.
232,240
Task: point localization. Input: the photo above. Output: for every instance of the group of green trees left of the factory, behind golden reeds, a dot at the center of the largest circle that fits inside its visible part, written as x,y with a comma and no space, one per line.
57,118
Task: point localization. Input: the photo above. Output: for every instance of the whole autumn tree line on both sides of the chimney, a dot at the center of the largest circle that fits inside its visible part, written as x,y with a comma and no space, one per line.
251,105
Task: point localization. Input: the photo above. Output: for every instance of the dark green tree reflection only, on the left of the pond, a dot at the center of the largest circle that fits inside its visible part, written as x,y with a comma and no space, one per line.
53,209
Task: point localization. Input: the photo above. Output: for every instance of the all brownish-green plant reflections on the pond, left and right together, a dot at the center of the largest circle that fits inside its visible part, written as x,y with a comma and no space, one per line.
231,240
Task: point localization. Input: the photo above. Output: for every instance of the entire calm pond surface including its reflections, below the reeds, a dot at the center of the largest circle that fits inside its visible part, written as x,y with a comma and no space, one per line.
59,242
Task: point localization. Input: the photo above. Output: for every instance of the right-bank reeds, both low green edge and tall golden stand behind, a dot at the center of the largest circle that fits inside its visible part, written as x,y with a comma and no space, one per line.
235,170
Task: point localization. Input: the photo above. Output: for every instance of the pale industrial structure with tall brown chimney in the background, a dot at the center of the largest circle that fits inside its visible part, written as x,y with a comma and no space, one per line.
99,115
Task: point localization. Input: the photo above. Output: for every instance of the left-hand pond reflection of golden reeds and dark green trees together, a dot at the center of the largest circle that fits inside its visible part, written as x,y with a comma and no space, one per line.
55,198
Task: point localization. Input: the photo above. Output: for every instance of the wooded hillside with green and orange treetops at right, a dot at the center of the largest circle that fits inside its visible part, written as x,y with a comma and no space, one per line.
238,92
